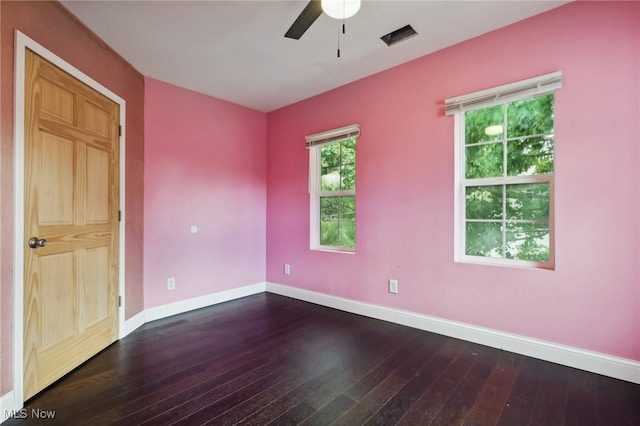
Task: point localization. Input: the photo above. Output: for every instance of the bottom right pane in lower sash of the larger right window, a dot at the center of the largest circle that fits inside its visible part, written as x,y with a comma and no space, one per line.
528,241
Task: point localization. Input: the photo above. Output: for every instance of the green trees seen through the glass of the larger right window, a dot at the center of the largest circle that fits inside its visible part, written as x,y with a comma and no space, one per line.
508,168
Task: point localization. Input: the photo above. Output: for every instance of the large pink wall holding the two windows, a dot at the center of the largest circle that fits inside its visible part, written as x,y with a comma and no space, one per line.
405,184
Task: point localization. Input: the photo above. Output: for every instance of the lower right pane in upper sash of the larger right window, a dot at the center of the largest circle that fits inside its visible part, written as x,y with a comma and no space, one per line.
530,156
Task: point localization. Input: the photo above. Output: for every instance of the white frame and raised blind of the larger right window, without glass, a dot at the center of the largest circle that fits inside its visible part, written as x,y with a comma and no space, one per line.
457,106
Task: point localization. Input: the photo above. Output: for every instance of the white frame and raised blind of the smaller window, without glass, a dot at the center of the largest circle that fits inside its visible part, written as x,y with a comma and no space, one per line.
314,145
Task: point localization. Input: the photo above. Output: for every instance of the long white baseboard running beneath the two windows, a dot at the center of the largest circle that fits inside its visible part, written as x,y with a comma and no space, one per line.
608,365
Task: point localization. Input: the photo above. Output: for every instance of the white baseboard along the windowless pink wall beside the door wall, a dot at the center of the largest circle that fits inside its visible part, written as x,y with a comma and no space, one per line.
170,309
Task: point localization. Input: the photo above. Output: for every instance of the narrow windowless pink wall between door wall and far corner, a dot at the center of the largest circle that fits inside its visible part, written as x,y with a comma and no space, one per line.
205,166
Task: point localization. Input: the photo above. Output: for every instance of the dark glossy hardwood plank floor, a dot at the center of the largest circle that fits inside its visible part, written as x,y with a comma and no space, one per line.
268,359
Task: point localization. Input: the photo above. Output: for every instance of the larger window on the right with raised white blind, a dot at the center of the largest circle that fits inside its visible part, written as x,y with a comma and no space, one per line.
504,177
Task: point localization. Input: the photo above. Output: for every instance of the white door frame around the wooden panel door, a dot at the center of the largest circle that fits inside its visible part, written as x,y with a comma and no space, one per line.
23,42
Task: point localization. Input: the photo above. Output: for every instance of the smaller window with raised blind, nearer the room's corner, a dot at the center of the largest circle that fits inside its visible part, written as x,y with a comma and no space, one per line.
332,189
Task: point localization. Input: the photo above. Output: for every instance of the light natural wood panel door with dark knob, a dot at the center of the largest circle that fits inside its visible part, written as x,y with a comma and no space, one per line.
71,216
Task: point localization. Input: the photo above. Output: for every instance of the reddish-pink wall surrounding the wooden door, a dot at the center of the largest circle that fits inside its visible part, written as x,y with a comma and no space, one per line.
51,25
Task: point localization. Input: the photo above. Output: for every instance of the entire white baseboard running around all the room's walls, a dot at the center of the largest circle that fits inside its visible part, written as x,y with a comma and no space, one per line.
608,365
